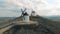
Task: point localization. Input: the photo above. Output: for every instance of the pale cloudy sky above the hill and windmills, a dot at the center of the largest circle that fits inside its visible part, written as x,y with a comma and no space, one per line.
11,8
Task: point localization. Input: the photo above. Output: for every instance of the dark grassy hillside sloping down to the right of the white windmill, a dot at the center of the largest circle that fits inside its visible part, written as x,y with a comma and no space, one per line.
52,25
